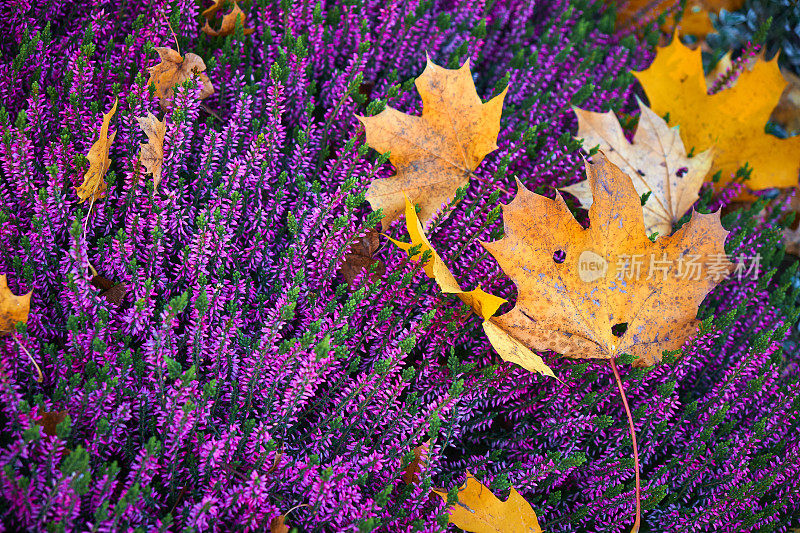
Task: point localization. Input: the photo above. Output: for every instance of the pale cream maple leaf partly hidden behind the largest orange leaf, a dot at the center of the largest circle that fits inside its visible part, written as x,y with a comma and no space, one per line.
656,161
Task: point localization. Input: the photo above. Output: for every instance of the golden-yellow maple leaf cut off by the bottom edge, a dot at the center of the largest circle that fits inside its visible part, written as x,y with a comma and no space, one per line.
480,511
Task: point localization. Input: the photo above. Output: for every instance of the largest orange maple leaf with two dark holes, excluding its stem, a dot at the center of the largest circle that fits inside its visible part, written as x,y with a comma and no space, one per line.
569,292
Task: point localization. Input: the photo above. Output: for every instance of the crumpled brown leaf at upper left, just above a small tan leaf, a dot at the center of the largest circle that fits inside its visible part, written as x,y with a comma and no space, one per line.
173,70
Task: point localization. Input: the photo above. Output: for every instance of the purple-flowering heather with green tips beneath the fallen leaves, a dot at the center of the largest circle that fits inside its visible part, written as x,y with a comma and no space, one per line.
241,378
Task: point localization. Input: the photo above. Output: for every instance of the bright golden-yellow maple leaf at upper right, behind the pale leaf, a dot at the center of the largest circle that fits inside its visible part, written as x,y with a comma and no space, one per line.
732,120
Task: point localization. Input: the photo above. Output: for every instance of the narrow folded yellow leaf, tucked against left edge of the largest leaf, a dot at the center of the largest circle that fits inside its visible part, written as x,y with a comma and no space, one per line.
483,304
